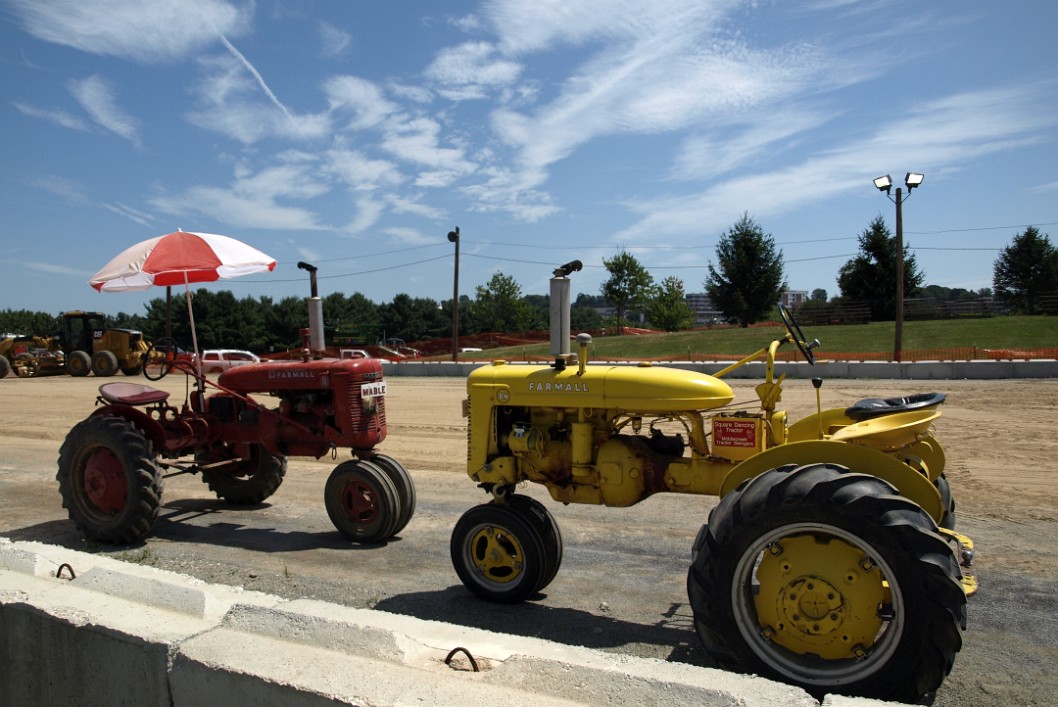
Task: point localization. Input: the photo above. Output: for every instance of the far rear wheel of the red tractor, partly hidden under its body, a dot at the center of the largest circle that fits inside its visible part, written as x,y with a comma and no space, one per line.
247,481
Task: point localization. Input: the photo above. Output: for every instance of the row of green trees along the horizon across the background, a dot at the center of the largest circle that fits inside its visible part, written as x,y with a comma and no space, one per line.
744,284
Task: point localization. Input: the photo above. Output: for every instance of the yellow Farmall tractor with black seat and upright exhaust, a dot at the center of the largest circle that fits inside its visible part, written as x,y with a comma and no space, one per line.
831,561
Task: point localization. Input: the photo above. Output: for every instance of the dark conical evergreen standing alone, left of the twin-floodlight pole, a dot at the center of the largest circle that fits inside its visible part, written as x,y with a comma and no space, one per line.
750,279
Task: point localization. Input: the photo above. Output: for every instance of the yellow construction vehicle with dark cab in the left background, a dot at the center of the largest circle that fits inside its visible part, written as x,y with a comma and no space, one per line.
90,346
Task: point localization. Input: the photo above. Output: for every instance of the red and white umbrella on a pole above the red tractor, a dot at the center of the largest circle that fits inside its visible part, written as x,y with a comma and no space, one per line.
180,258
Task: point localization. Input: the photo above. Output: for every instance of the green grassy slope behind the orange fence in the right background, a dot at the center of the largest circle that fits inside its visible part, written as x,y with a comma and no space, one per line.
996,333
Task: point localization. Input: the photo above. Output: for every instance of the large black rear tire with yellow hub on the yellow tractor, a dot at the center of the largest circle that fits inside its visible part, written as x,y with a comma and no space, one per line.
831,582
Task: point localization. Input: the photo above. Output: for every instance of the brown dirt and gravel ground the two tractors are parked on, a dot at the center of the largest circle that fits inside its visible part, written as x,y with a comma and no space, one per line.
622,586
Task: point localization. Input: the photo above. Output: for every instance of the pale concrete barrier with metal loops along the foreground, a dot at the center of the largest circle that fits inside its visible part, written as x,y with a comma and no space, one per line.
87,630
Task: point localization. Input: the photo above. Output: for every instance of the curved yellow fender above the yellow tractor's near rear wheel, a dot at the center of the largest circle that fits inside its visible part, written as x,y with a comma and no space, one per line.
910,483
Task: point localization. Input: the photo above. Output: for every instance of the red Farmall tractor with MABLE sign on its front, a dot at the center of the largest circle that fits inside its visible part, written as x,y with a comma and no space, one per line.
113,465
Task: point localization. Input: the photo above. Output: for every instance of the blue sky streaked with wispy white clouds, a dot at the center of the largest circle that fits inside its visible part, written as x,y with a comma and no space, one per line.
357,135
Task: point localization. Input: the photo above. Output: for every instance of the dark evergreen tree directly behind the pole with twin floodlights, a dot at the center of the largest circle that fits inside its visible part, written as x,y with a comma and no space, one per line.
871,277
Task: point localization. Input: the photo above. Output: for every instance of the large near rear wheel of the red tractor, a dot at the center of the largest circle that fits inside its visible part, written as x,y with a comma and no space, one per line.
110,480
